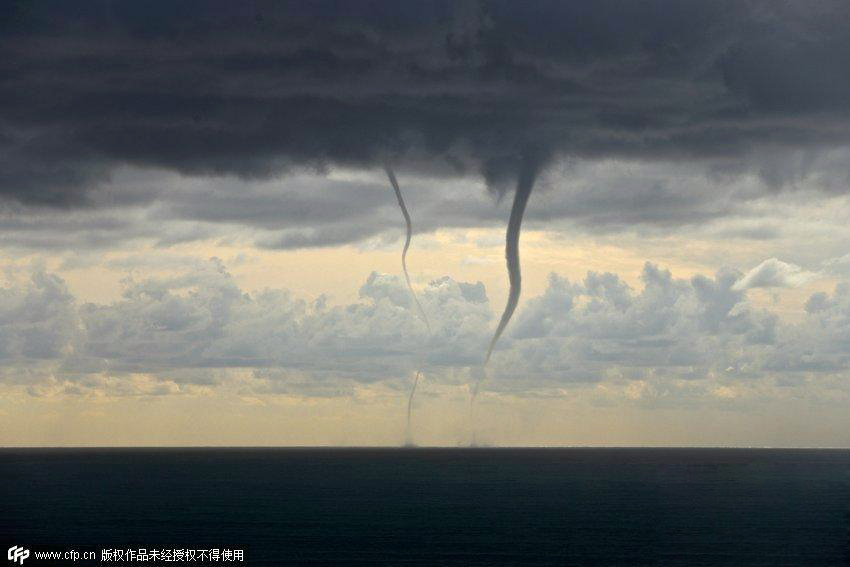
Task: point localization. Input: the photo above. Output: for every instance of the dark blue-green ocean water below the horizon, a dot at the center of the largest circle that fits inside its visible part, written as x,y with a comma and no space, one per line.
626,507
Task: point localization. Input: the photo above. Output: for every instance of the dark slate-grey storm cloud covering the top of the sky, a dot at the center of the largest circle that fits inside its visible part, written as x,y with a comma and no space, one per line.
254,89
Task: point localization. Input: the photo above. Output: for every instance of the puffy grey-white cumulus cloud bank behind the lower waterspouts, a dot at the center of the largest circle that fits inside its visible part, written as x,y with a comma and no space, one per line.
671,335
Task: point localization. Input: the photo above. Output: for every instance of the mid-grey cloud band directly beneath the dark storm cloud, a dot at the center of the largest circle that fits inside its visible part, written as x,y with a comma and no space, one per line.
303,209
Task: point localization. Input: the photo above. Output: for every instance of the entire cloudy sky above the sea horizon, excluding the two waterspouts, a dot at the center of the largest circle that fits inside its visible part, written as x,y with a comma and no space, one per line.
200,245
